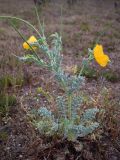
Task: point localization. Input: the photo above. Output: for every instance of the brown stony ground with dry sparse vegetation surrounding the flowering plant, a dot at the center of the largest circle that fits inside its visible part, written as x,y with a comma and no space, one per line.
81,25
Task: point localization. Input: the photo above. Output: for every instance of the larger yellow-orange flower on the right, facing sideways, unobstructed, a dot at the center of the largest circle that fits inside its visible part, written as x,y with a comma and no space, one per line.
101,58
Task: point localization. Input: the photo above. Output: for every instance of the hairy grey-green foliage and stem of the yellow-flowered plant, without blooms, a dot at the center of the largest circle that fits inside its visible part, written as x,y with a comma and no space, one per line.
69,121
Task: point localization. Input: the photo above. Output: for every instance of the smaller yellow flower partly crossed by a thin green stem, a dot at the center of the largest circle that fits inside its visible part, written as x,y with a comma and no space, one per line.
31,40
